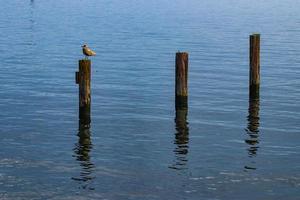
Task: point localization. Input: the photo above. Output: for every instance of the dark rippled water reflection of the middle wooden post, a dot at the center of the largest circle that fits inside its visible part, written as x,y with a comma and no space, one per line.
181,139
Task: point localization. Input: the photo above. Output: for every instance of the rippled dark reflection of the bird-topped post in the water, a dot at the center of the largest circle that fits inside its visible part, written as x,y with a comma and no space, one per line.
82,153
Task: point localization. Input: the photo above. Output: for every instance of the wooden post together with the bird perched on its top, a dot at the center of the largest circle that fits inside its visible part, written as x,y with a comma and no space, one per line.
83,79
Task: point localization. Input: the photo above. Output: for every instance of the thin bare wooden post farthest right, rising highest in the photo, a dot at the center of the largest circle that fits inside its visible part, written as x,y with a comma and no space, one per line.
254,72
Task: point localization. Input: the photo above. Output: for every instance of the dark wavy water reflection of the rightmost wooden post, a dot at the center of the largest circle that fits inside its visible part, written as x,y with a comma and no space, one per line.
252,130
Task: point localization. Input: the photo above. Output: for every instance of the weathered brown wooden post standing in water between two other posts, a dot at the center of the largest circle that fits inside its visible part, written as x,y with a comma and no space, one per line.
181,80
